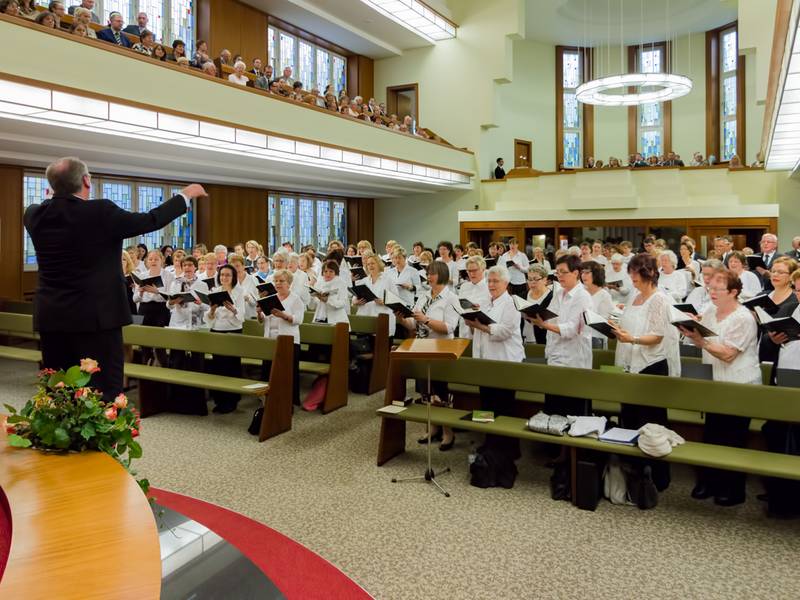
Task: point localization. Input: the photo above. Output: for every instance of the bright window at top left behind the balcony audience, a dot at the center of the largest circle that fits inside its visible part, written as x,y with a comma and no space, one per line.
167,19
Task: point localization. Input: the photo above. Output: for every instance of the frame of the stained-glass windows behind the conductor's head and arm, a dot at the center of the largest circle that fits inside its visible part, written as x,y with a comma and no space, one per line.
169,234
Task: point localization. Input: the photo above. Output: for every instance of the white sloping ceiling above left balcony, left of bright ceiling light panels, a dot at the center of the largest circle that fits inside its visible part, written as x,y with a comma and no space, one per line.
351,24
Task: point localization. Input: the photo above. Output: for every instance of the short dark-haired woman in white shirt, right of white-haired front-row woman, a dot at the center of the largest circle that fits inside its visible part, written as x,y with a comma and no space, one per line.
569,341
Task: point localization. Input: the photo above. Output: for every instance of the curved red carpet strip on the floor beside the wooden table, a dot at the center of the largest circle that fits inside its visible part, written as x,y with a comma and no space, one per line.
295,570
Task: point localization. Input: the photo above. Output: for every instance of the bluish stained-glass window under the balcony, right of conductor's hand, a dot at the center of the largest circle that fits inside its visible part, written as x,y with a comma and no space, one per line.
303,221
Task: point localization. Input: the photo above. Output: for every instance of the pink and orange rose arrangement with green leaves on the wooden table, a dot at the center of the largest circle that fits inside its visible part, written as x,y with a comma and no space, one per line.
67,415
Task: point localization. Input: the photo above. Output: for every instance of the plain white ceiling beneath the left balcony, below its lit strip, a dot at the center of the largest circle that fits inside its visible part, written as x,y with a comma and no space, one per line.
37,144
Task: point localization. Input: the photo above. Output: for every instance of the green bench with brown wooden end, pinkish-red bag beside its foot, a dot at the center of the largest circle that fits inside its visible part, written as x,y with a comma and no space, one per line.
337,338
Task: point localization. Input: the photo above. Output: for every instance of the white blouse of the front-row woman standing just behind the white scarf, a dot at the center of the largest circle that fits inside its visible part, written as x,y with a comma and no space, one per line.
649,318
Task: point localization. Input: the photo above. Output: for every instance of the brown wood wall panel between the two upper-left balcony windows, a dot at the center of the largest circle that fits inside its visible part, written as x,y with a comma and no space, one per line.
229,24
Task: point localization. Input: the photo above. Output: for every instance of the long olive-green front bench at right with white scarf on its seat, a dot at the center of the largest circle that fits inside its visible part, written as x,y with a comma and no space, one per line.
755,401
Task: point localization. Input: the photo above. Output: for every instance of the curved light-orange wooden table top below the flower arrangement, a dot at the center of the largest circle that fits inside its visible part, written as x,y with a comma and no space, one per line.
81,528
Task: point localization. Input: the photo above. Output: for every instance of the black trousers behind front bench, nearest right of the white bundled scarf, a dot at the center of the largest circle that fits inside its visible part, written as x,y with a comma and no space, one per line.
725,430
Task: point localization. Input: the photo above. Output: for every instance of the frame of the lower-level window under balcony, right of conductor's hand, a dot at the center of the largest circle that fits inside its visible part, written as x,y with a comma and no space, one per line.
274,227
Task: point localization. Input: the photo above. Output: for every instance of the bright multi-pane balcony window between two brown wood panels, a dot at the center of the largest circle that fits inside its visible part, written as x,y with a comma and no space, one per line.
314,66
